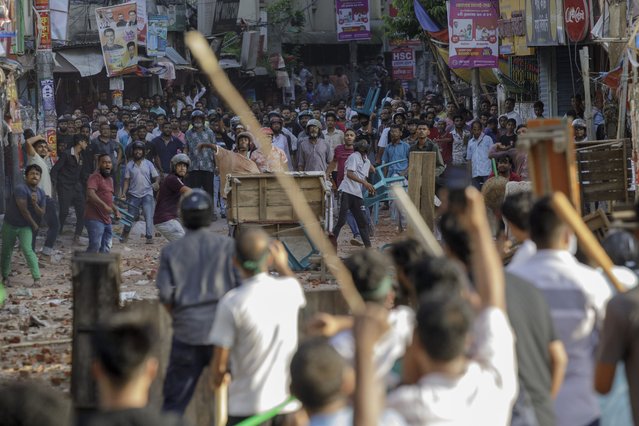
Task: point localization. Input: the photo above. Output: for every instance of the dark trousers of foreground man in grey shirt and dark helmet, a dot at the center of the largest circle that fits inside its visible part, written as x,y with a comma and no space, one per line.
185,367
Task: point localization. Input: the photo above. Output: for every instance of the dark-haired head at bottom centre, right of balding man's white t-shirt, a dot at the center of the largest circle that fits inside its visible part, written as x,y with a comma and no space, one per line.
317,374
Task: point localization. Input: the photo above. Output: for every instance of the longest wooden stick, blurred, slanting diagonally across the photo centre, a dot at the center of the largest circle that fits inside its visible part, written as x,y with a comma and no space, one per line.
209,64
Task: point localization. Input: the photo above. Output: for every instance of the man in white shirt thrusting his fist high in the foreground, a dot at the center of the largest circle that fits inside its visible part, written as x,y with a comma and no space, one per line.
448,386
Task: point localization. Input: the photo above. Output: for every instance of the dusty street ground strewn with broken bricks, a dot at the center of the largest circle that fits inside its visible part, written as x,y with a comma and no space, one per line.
36,323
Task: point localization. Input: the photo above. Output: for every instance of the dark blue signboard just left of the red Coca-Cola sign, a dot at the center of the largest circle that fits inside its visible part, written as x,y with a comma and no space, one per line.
544,23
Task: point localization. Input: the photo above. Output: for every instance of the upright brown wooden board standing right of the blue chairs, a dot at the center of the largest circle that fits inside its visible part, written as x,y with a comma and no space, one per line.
421,184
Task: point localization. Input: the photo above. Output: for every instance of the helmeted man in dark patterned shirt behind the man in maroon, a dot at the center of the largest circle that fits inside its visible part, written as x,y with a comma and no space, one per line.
199,143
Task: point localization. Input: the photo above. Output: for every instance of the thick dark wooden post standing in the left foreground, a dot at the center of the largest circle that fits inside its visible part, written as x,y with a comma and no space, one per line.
96,282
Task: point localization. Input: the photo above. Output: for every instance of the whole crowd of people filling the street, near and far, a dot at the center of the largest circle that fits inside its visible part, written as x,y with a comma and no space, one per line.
456,340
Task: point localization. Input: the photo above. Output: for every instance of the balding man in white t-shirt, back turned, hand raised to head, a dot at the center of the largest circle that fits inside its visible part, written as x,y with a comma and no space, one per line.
255,329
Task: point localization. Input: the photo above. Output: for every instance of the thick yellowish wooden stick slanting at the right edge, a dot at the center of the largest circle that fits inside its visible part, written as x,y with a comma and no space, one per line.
589,243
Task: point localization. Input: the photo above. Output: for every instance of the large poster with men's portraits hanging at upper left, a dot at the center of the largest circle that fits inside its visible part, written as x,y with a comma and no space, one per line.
118,27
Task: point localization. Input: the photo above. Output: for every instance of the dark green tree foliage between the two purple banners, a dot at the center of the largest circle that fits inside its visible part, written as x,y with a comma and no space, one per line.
405,24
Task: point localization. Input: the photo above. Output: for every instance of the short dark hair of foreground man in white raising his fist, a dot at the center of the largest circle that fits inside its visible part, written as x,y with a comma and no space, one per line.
444,320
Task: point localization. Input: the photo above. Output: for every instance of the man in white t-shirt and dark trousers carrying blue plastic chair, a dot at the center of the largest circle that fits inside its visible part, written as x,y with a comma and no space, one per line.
357,168
